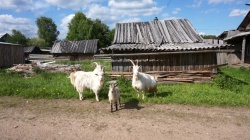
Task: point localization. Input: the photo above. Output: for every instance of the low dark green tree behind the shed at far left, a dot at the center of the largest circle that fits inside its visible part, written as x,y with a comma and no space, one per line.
17,37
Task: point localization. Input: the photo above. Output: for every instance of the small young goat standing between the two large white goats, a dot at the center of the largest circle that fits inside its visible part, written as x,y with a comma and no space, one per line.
114,96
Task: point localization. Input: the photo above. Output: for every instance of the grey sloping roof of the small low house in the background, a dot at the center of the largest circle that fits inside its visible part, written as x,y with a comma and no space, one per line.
83,46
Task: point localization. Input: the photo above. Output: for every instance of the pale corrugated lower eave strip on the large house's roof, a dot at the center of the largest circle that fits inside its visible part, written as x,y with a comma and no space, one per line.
164,47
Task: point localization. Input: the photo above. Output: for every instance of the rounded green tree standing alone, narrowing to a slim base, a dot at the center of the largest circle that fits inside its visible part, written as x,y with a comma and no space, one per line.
47,30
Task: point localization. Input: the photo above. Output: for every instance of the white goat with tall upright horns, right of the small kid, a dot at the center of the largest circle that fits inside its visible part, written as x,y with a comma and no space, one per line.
143,82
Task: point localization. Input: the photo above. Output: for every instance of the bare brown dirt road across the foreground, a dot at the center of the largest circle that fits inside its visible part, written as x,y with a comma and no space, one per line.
73,119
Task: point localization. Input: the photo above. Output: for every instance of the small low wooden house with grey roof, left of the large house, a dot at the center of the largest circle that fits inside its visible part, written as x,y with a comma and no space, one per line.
75,50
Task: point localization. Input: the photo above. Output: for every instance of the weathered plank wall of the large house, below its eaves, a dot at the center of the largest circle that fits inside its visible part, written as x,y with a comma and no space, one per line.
166,62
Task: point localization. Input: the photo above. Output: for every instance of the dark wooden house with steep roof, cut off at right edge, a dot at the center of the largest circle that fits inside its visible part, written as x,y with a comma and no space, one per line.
240,38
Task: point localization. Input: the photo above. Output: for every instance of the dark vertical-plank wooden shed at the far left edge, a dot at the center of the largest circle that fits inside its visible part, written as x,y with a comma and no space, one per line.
11,54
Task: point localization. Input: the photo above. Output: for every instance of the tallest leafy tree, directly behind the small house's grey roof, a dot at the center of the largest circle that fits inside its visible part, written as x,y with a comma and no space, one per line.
80,28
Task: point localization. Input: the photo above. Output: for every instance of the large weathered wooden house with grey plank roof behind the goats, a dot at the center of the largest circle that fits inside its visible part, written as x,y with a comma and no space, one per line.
169,45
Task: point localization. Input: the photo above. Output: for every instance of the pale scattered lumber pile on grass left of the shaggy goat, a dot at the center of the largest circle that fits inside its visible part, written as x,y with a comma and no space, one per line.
29,68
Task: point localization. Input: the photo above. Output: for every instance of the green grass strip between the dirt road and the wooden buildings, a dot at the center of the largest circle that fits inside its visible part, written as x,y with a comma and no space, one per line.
229,88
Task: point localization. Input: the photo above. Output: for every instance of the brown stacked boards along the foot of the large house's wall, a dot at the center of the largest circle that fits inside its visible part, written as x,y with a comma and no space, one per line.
172,76
